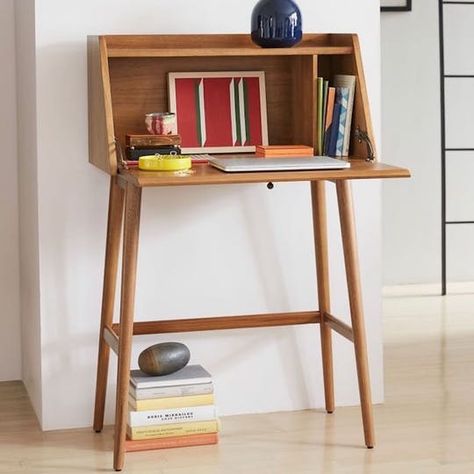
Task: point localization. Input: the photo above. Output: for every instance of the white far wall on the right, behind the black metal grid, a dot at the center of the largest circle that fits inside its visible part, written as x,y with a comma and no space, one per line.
411,137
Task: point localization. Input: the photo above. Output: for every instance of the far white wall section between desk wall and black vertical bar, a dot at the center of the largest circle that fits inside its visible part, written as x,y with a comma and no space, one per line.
411,138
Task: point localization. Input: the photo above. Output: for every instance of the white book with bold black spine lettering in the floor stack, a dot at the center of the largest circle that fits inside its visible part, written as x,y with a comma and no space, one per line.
172,415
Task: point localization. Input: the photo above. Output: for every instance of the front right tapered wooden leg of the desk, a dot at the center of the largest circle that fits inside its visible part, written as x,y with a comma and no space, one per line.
346,215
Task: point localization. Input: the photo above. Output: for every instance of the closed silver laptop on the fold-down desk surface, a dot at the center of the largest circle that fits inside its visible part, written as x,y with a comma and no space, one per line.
239,164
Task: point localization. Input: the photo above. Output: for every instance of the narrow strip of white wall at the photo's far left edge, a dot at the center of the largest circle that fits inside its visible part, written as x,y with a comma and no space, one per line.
10,347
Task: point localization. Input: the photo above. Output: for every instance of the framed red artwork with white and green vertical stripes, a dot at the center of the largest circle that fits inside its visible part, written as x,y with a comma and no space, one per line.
220,112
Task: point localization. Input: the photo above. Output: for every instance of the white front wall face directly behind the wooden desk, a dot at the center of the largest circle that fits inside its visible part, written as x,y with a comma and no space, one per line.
270,266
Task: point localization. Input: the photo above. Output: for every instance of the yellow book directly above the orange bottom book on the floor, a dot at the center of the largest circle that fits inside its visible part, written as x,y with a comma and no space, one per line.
178,429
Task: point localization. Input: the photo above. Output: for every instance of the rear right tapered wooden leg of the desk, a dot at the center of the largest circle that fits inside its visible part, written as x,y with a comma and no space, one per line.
318,197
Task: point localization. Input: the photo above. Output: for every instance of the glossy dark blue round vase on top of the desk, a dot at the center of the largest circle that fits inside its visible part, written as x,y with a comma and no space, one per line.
276,24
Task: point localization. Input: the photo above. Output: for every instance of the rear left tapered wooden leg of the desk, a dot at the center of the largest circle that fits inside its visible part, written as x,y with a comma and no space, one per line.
114,226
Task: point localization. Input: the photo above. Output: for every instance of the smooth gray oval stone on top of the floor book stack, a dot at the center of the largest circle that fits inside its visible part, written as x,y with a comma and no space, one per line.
164,358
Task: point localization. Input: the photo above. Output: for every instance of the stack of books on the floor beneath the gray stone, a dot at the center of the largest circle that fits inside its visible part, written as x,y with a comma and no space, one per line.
171,411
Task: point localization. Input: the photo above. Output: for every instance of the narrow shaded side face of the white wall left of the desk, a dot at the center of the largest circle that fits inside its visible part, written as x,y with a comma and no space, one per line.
28,201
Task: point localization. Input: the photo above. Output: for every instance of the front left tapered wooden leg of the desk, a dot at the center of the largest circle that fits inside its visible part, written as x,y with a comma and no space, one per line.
127,306
